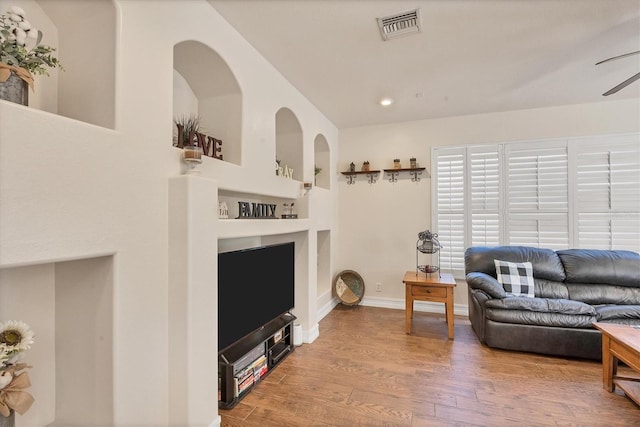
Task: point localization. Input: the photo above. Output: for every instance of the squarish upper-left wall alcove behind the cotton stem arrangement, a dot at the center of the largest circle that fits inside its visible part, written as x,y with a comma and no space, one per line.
85,90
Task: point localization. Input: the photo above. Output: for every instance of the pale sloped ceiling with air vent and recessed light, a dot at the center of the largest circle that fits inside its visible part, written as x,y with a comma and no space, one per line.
472,56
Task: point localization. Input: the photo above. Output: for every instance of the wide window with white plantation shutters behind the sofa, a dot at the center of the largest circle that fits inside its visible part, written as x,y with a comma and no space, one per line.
575,193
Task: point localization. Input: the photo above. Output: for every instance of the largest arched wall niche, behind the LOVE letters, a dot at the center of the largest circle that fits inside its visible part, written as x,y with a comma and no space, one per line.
204,87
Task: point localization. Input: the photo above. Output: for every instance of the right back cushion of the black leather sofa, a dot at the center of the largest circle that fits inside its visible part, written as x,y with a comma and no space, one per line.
620,268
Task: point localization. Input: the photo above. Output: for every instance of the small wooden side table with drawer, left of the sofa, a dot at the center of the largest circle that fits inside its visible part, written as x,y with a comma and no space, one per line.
422,287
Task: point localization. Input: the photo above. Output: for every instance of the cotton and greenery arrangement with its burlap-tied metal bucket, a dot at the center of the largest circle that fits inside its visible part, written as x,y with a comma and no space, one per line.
21,54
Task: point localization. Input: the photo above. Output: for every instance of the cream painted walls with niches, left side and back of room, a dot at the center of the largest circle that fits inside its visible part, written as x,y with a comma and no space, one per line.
108,248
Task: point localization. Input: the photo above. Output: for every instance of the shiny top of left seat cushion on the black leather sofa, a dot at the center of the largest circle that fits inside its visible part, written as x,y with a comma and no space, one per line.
542,305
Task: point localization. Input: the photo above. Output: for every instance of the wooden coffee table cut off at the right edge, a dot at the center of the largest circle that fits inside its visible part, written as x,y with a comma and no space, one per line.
620,342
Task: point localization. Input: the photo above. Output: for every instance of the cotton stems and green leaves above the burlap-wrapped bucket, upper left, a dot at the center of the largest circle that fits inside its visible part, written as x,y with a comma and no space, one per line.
15,31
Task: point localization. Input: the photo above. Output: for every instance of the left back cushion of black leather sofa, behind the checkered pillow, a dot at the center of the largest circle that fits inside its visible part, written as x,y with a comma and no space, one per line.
546,263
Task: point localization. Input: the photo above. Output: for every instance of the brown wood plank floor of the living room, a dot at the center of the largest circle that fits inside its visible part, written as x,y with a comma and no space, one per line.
364,370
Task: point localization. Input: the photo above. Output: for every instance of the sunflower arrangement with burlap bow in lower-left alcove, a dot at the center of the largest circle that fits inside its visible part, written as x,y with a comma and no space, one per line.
15,338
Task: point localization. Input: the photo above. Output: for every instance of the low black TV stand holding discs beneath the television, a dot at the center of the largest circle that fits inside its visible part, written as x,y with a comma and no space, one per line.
245,363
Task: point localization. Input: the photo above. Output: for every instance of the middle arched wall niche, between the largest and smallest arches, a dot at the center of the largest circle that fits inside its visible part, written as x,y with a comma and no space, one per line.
289,143
